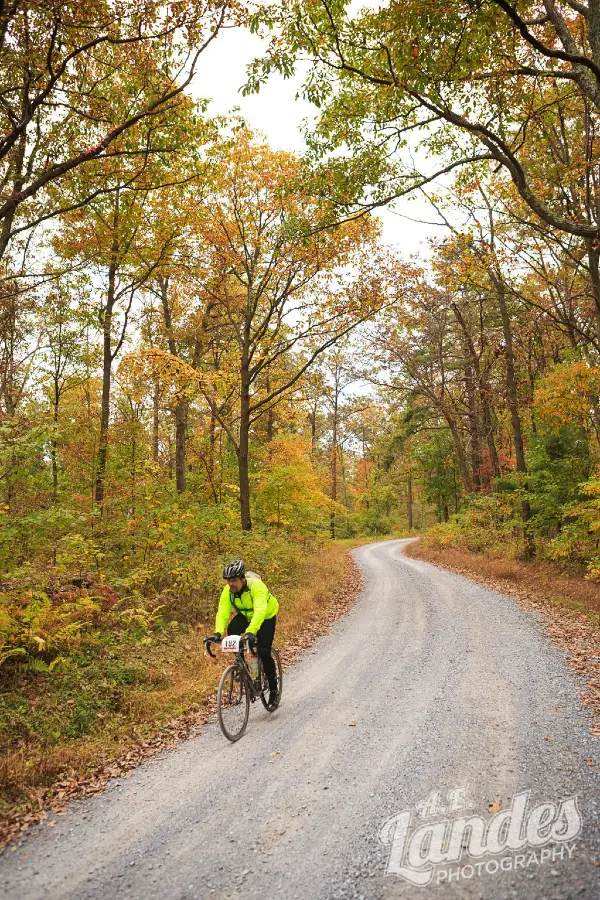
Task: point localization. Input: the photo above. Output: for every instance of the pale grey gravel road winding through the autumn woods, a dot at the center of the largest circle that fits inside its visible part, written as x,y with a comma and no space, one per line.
449,686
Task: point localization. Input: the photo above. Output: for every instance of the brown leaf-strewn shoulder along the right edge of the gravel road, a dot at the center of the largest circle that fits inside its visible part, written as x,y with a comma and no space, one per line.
570,605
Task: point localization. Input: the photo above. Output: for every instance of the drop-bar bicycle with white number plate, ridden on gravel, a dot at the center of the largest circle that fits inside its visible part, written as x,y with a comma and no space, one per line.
237,688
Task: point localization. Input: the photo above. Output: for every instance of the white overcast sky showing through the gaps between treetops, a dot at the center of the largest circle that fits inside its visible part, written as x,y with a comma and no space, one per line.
277,113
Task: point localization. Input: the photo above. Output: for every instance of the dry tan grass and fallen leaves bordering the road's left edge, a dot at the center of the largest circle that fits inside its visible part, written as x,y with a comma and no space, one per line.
174,701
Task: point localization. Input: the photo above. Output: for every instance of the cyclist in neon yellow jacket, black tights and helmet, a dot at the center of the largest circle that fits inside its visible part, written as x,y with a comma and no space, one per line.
255,617
